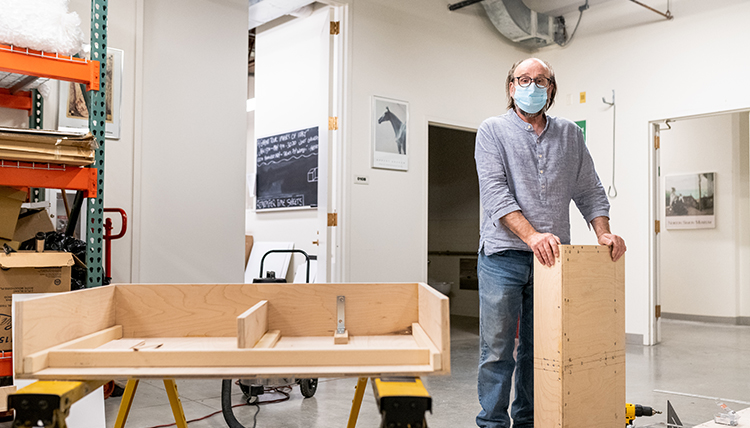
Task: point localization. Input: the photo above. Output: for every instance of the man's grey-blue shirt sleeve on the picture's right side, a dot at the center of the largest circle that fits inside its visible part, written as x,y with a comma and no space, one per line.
589,196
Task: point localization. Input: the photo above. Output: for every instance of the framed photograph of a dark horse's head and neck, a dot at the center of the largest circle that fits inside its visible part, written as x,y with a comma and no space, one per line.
390,142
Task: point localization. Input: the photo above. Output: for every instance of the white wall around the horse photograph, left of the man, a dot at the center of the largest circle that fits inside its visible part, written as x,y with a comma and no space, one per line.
450,67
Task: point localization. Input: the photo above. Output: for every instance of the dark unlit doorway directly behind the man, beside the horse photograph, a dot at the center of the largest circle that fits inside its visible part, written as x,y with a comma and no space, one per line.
453,216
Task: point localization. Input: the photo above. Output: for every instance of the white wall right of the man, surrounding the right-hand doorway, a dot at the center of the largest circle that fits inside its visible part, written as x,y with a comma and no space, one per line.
659,69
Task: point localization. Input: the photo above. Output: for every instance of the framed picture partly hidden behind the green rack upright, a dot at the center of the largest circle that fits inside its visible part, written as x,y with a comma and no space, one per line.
73,115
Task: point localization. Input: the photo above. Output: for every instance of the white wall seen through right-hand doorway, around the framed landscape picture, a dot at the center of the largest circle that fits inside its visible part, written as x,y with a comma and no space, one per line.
699,268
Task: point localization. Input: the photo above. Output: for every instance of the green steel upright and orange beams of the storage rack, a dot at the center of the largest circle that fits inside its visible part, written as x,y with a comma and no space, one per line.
29,64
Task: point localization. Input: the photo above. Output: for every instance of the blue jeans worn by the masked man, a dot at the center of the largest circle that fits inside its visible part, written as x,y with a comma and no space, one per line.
506,291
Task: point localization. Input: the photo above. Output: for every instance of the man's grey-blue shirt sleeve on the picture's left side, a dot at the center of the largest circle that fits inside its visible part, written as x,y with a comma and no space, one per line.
494,190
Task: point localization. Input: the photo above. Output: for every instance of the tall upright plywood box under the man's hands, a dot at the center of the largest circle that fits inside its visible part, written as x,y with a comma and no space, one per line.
579,340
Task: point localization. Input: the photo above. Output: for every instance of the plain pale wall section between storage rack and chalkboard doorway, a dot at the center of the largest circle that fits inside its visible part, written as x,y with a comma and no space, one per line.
191,171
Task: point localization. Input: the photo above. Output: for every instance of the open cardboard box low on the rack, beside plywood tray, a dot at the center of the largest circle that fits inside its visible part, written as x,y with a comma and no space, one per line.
29,272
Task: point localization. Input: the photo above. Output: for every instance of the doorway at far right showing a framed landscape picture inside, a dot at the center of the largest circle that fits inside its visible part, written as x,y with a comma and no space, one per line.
701,207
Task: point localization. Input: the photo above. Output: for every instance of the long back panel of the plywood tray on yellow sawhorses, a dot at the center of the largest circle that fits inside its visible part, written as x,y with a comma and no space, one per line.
178,310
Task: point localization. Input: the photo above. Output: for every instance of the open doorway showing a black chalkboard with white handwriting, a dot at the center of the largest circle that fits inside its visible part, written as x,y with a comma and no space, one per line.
302,163
